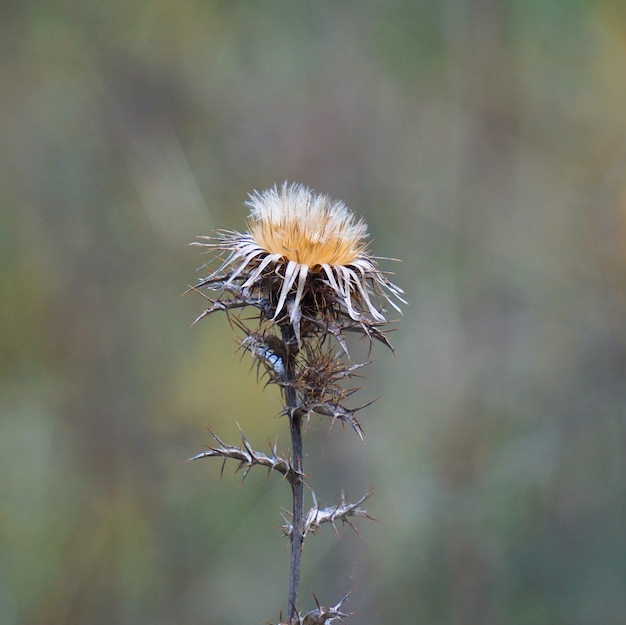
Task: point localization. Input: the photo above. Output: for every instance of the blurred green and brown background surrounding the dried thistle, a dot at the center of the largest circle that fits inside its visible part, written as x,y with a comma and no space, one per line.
485,144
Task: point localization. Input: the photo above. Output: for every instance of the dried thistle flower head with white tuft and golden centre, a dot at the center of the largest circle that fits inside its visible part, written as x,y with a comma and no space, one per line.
304,259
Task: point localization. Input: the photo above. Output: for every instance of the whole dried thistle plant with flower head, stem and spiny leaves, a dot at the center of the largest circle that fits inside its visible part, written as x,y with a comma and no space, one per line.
304,266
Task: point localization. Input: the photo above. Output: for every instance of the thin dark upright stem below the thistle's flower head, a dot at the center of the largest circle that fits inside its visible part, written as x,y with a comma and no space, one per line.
297,485
